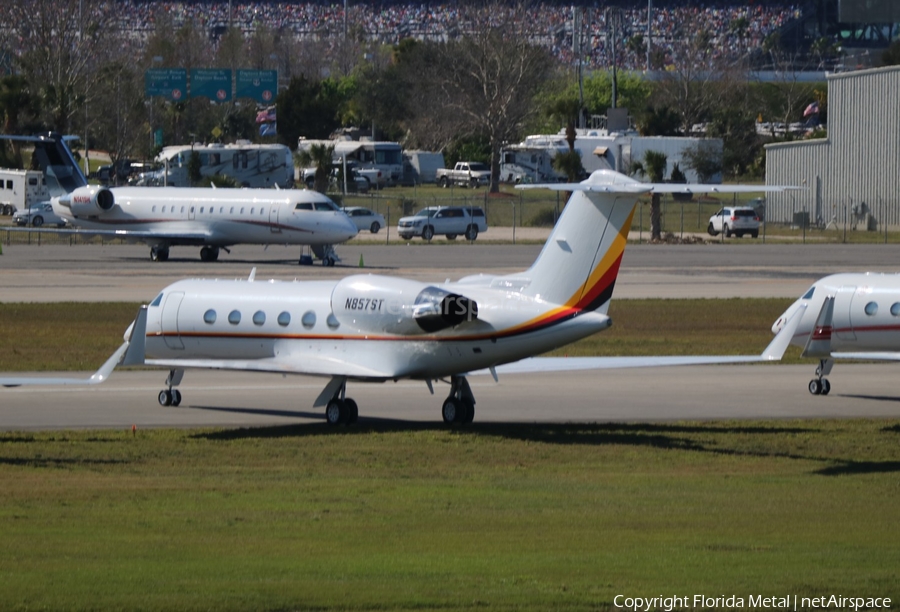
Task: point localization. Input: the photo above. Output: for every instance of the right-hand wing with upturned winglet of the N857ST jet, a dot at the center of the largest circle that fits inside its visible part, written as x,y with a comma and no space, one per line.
773,352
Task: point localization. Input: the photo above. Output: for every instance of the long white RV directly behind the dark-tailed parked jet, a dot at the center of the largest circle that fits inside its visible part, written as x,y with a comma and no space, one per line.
251,165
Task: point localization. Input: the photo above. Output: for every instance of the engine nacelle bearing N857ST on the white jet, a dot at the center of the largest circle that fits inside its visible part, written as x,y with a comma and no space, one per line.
380,304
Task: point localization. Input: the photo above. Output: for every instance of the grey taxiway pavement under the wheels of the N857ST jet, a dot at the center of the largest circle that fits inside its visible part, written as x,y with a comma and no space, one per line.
229,399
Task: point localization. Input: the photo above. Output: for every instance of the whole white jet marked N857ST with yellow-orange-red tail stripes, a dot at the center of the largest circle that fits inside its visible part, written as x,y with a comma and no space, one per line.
369,328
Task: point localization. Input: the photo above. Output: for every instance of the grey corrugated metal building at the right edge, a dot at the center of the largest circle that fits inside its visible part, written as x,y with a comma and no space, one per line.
858,163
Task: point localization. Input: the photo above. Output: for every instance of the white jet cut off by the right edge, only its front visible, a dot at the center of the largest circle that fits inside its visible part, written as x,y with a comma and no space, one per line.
846,316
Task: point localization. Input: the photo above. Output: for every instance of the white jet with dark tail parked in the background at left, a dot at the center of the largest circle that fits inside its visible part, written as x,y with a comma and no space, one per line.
210,218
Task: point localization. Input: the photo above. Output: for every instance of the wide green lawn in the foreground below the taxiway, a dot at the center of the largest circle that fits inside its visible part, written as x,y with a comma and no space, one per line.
417,517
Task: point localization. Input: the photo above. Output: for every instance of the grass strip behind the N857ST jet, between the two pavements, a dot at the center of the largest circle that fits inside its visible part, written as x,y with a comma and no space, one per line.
79,336
